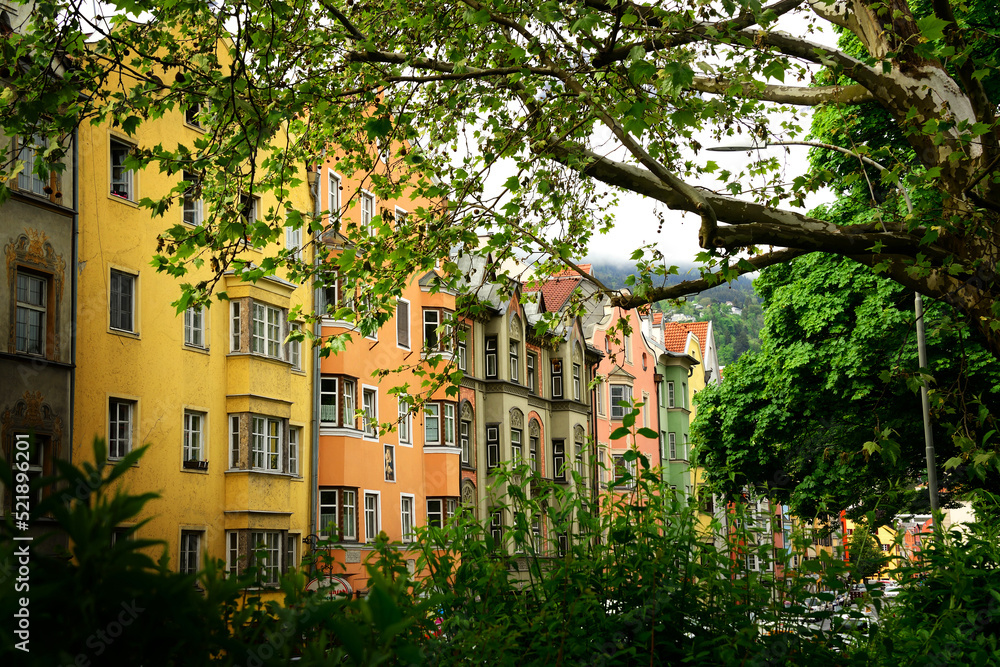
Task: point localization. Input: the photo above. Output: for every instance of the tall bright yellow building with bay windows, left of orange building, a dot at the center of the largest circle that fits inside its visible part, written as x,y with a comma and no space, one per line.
223,402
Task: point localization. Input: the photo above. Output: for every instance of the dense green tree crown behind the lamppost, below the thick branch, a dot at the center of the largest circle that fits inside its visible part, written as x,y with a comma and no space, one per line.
825,415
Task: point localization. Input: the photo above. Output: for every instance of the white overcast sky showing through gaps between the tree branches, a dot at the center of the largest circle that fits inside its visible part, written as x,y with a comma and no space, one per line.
678,241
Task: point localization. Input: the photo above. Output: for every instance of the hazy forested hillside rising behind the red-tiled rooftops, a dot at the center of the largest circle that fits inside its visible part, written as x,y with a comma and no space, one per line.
734,308
